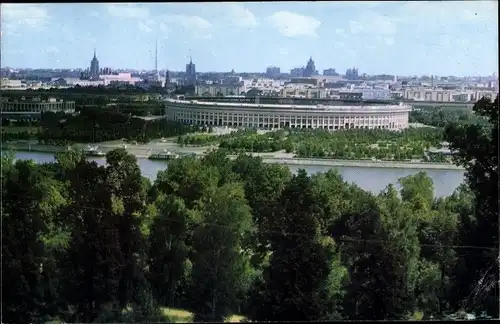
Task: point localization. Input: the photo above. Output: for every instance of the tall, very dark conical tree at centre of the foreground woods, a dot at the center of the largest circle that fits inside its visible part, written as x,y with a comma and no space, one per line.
301,261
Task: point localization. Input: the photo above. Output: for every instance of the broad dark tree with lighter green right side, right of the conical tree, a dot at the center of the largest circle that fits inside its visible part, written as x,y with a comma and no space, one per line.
379,246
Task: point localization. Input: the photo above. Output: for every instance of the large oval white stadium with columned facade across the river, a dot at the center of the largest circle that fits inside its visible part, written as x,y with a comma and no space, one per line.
343,115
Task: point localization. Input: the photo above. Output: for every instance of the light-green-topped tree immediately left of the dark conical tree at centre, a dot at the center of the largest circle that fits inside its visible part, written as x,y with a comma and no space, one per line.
220,268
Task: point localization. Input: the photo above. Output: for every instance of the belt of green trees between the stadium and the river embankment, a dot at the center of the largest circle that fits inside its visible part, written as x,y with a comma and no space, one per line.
355,144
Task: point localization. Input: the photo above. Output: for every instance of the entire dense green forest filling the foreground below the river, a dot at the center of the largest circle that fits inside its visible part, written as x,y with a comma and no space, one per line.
89,243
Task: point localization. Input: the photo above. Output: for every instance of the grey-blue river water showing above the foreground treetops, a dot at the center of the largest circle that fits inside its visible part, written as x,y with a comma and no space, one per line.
371,179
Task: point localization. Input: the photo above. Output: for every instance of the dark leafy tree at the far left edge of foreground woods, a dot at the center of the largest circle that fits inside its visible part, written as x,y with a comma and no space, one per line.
30,203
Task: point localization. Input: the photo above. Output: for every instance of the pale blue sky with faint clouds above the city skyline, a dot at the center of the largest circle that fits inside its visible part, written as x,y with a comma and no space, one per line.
403,38
